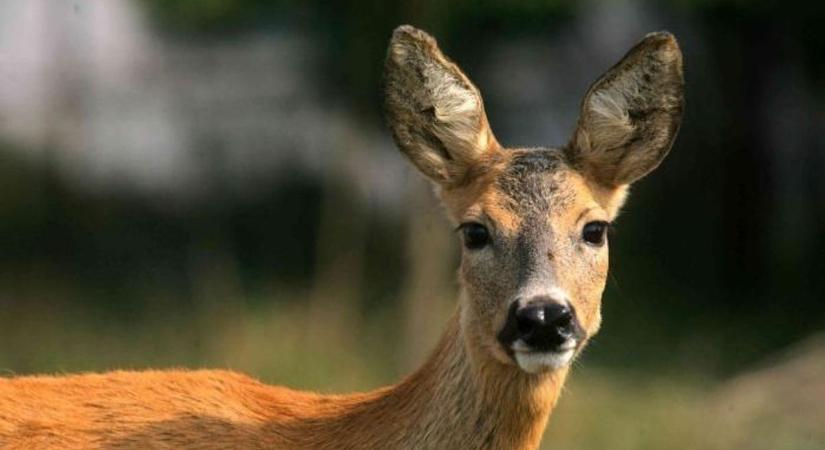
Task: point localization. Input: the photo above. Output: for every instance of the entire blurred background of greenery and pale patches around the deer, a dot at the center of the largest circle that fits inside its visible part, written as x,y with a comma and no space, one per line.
210,184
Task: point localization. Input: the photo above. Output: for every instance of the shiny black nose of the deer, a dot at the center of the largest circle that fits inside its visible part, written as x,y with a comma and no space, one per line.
545,324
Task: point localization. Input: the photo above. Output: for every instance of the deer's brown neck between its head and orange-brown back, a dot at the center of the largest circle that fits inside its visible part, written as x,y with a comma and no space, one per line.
453,401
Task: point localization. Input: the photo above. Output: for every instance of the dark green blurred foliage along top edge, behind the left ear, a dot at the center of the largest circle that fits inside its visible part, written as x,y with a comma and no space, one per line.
356,32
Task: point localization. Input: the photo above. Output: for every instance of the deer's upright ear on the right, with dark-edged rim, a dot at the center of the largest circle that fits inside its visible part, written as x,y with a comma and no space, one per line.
630,116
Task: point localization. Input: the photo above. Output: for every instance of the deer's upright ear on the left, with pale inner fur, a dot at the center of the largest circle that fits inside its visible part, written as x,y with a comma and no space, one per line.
435,113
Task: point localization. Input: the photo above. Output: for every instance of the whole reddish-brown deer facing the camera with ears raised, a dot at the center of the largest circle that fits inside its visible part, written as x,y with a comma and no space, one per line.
533,229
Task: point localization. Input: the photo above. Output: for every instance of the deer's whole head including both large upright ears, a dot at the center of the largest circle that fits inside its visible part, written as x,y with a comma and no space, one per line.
532,222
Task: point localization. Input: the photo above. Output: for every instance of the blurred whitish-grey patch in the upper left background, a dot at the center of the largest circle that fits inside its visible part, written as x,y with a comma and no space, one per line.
116,106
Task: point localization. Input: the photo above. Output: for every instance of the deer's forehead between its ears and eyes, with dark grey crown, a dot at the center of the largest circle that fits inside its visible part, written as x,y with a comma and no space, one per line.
528,185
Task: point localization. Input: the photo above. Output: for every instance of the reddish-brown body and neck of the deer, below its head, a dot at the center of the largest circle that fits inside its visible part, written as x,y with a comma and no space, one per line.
221,409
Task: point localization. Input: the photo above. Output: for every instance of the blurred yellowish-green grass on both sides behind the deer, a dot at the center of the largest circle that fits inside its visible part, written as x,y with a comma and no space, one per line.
600,409
